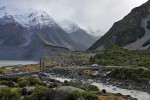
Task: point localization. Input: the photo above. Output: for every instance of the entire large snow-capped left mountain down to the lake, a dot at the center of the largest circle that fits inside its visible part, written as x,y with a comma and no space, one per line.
30,34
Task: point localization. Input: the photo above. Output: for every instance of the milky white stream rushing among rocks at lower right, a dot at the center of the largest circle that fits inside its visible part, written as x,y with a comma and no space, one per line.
112,89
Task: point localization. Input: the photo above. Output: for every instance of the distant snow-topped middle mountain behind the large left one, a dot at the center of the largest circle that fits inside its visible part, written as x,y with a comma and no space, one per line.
77,34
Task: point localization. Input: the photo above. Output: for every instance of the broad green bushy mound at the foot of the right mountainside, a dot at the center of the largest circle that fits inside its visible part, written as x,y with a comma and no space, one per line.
117,56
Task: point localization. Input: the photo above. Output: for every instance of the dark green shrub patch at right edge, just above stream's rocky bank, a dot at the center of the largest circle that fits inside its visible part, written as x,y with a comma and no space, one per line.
139,75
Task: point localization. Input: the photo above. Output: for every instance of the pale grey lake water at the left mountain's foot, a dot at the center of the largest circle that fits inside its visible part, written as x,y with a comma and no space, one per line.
7,63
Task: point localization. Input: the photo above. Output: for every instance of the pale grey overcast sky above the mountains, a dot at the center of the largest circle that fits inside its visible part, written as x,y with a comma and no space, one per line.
97,14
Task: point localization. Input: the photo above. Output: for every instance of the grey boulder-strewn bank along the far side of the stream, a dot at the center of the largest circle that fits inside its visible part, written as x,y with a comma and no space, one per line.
98,74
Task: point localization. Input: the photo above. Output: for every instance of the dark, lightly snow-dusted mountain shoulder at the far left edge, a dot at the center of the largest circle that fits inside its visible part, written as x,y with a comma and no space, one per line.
11,34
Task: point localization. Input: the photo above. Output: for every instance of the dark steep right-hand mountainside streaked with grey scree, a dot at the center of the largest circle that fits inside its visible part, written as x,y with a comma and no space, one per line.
132,32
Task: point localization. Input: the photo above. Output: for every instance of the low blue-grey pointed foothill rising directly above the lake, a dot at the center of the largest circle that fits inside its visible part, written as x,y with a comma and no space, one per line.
34,51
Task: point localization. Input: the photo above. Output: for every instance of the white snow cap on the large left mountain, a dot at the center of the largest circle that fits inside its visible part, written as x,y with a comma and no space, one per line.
28,17
